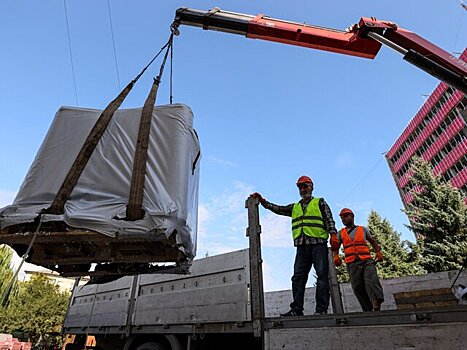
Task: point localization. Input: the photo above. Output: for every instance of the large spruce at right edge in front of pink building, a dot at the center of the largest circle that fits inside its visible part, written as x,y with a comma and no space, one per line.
438,217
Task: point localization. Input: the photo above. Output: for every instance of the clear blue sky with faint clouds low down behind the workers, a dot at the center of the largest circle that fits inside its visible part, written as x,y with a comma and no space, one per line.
265,113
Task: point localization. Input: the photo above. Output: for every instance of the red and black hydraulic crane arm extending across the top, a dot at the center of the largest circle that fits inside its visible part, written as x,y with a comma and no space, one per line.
362,40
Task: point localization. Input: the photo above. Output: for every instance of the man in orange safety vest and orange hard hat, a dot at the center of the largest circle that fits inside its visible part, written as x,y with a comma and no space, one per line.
360,265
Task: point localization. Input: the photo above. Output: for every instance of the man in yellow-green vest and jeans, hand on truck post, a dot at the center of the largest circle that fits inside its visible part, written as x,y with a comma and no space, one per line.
312,223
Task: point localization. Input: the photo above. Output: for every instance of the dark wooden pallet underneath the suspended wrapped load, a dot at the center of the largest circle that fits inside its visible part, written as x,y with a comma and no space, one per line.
71,252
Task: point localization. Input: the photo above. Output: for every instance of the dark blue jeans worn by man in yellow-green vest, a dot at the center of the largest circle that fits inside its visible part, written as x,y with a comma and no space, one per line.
307,256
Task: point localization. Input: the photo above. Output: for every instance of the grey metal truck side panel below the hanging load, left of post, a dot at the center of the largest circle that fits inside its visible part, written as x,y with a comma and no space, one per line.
216,290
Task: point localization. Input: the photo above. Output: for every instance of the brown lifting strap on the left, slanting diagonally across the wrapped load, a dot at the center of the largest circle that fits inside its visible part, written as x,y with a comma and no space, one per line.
57,206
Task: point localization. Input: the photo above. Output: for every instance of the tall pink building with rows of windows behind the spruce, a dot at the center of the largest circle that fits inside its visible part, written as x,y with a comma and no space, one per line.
438,134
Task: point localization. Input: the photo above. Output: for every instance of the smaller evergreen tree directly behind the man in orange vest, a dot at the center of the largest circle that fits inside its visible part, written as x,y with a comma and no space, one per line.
401,258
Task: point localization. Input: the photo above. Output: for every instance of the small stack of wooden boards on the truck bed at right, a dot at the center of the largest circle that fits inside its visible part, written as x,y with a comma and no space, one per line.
439,297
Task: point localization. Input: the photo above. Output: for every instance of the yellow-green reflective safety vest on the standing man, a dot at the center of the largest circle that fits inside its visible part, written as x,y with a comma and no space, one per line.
309,223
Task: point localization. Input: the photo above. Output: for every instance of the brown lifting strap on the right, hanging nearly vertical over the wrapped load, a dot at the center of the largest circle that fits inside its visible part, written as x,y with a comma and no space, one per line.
135,201
